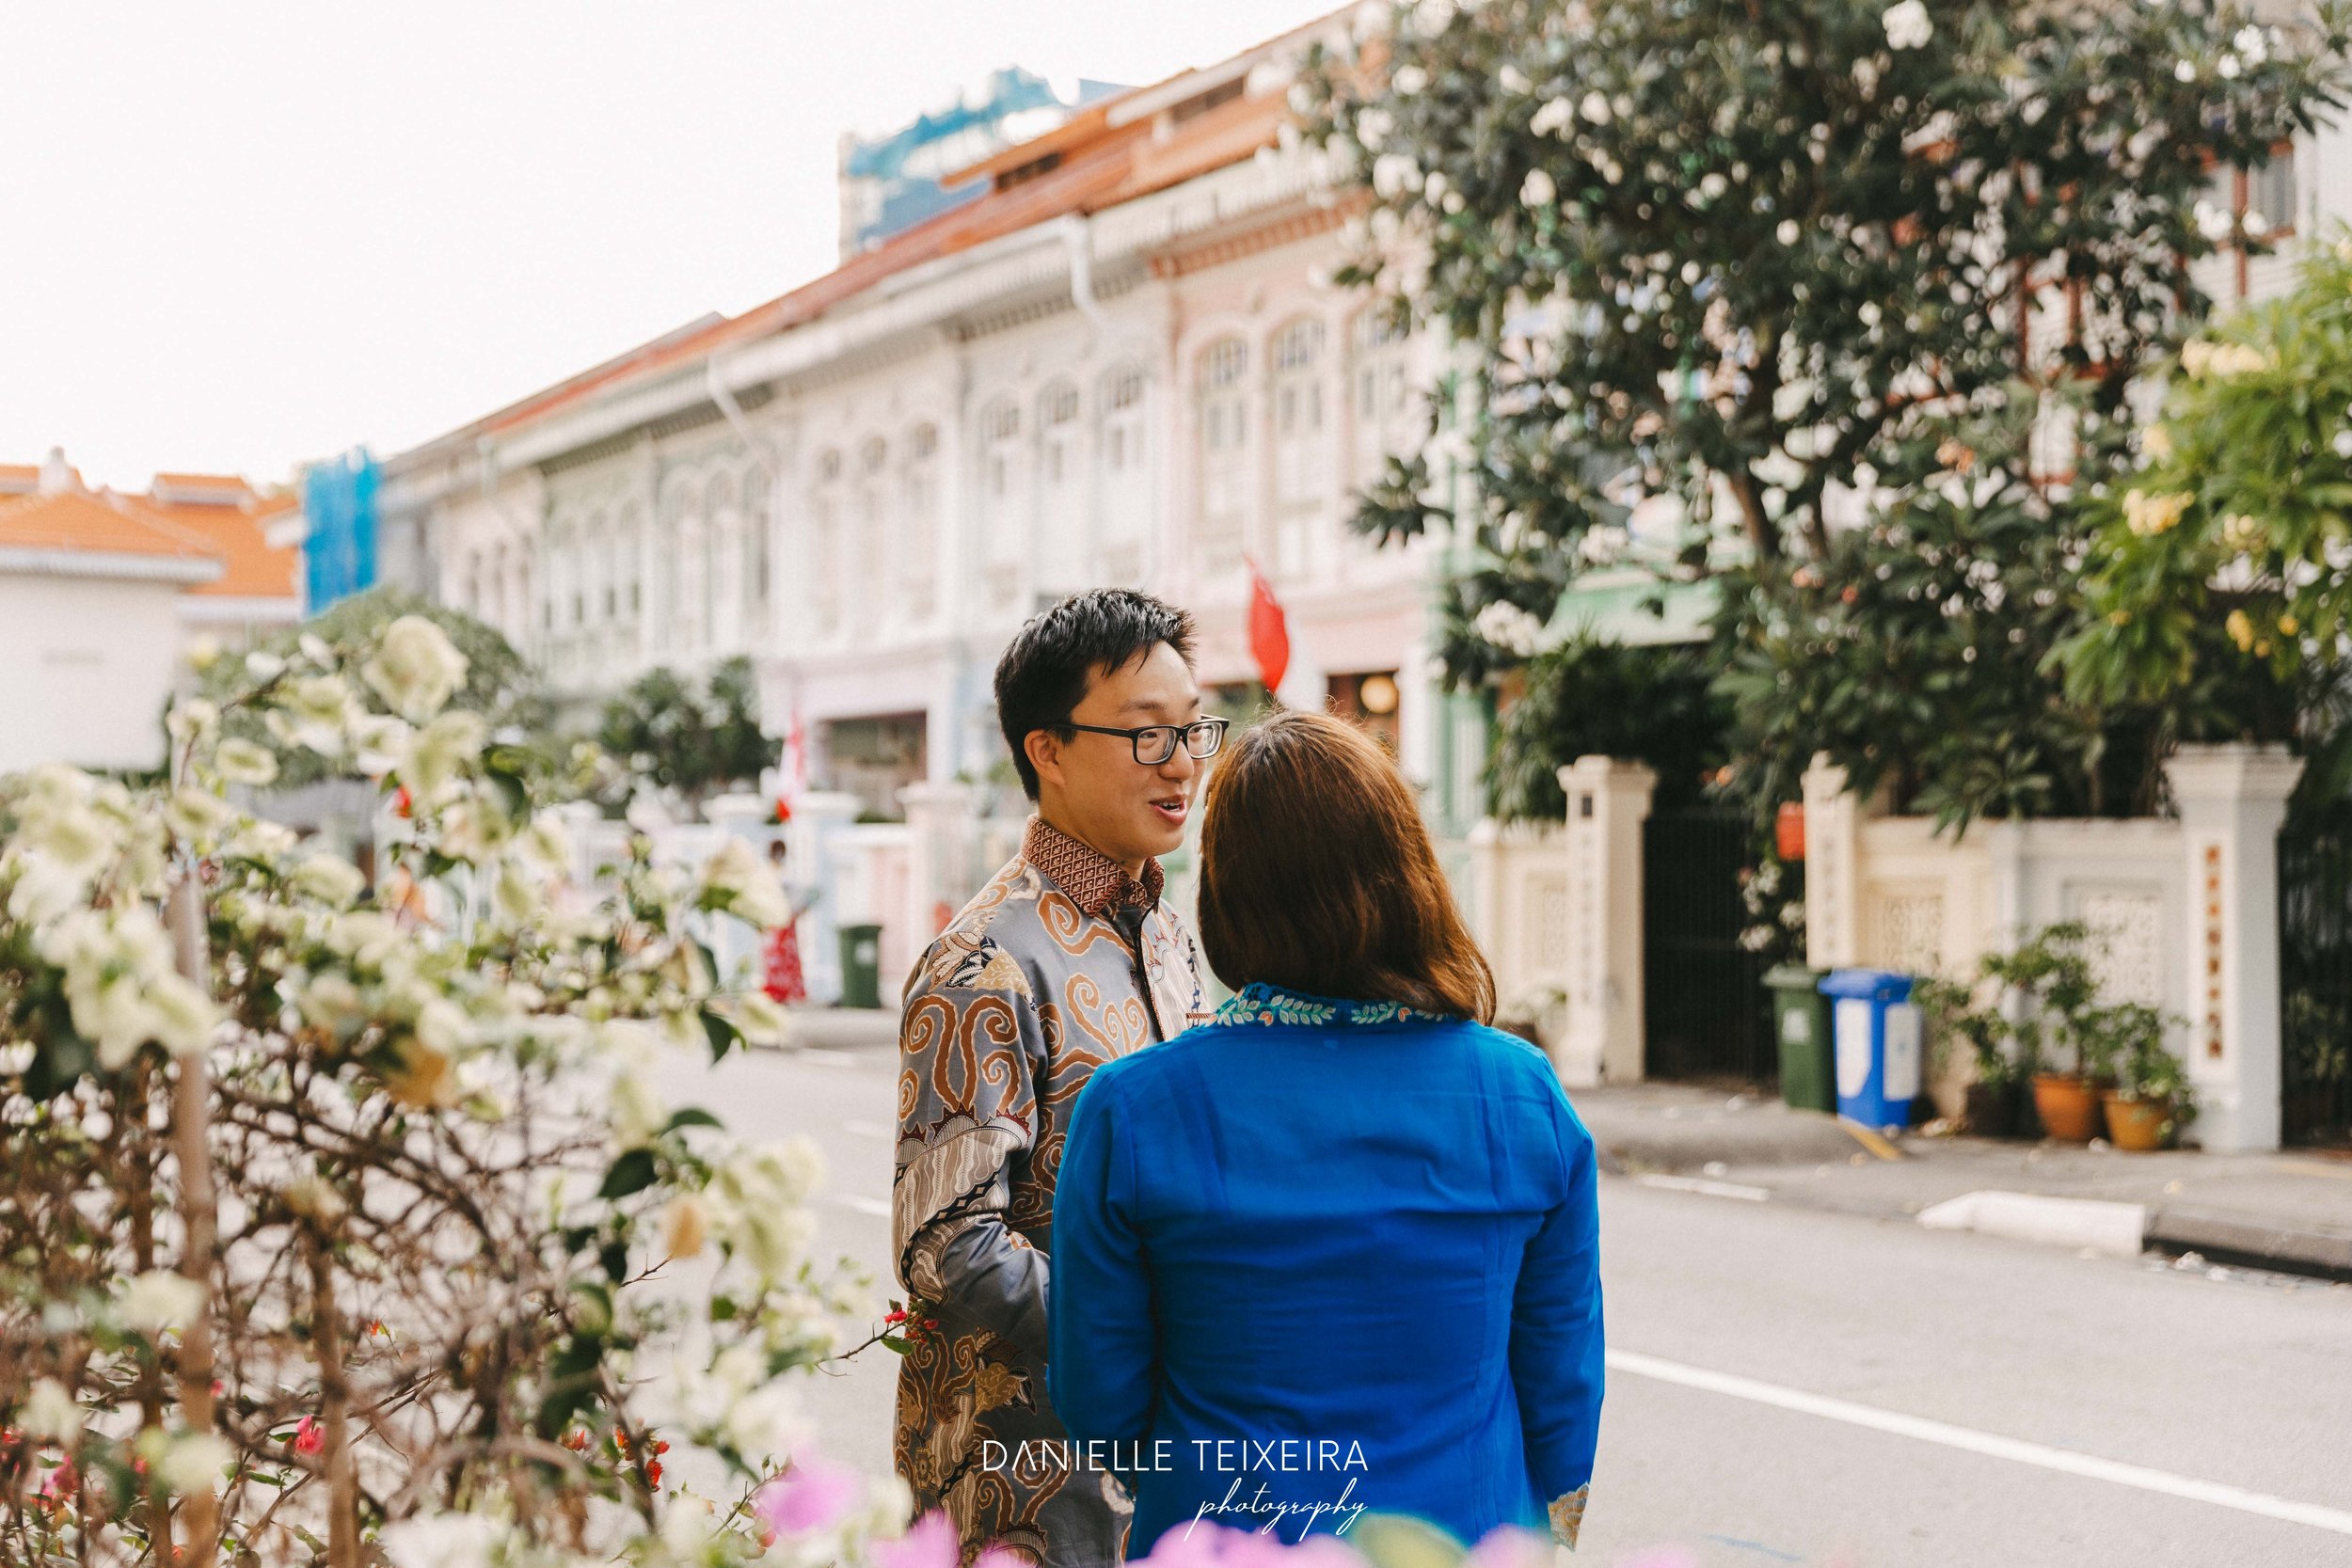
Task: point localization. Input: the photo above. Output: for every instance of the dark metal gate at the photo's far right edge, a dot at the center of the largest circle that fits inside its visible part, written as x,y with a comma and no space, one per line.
2316,984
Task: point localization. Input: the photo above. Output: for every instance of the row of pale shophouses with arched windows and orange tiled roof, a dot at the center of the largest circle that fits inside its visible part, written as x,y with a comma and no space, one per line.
1121,366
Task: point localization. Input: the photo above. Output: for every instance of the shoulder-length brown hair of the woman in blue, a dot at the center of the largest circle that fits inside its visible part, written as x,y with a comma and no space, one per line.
1318,876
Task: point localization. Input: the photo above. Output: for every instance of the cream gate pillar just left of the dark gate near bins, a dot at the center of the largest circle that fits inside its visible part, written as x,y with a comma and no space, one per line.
1608,1026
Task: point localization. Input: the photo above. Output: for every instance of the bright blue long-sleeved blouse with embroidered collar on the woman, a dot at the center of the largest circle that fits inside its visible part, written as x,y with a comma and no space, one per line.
1325,1257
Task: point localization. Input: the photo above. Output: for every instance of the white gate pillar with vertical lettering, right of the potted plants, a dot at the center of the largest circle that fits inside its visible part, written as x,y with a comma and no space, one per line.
2233,800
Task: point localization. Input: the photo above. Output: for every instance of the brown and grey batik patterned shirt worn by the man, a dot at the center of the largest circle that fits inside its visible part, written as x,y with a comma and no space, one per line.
1057,967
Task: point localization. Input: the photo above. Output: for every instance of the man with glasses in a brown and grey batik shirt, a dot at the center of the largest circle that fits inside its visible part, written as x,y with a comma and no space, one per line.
1060,965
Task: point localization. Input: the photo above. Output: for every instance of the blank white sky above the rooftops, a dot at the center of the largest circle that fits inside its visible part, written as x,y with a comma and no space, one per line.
248,234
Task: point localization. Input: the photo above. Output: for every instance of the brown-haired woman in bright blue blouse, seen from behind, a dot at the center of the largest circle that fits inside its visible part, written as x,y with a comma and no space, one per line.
1337,1249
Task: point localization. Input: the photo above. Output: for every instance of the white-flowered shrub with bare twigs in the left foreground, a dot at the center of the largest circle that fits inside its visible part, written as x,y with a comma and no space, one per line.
347,1214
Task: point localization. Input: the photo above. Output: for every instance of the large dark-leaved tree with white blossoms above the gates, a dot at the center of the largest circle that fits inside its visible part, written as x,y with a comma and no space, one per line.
1746,286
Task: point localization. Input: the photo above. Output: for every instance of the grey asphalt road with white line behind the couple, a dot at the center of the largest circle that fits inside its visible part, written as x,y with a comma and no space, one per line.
1805,1386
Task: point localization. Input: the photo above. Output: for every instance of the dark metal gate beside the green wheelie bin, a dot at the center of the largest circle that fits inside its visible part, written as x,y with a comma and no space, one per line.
1704,996
